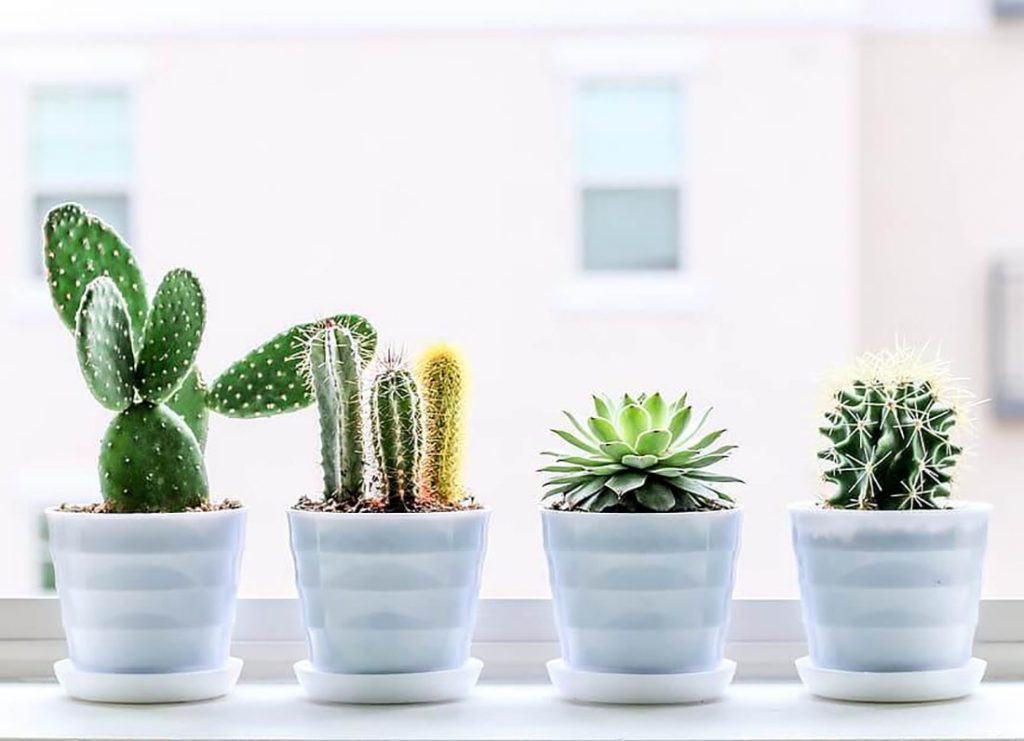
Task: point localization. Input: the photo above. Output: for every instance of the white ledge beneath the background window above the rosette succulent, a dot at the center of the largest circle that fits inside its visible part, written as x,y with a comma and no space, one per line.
635,293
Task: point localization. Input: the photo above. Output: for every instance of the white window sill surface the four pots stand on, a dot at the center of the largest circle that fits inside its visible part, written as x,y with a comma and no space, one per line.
750,711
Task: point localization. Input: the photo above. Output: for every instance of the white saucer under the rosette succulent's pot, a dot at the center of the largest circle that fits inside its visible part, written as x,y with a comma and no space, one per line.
641,689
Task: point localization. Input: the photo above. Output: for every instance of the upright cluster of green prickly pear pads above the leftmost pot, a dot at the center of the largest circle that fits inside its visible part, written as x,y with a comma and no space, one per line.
138,361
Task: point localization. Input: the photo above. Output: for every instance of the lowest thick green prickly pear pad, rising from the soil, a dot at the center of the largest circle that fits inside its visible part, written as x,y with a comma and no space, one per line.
151,462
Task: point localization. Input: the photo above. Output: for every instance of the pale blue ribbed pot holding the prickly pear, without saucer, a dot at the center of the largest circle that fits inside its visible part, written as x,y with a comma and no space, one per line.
148,593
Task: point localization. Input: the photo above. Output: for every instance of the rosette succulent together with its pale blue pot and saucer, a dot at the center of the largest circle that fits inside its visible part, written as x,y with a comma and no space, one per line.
642,543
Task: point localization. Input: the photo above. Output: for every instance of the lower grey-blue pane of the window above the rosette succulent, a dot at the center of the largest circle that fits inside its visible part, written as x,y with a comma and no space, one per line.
631,230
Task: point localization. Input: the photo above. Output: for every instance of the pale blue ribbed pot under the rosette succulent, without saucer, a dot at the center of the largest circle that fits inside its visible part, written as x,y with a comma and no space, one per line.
643,593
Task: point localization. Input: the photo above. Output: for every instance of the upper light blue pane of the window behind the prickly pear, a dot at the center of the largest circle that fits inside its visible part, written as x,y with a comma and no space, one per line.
80,137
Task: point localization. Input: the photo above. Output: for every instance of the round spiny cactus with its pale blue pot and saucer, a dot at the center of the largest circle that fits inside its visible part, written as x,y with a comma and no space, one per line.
890,570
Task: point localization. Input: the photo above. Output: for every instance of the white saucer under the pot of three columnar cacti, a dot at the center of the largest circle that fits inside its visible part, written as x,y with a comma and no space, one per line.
389,689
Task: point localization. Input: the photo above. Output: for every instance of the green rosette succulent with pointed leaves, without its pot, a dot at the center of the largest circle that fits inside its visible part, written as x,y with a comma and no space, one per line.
639,455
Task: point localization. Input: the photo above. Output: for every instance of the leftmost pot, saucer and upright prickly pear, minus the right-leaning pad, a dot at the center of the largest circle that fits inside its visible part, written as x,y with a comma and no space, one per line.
148,578
